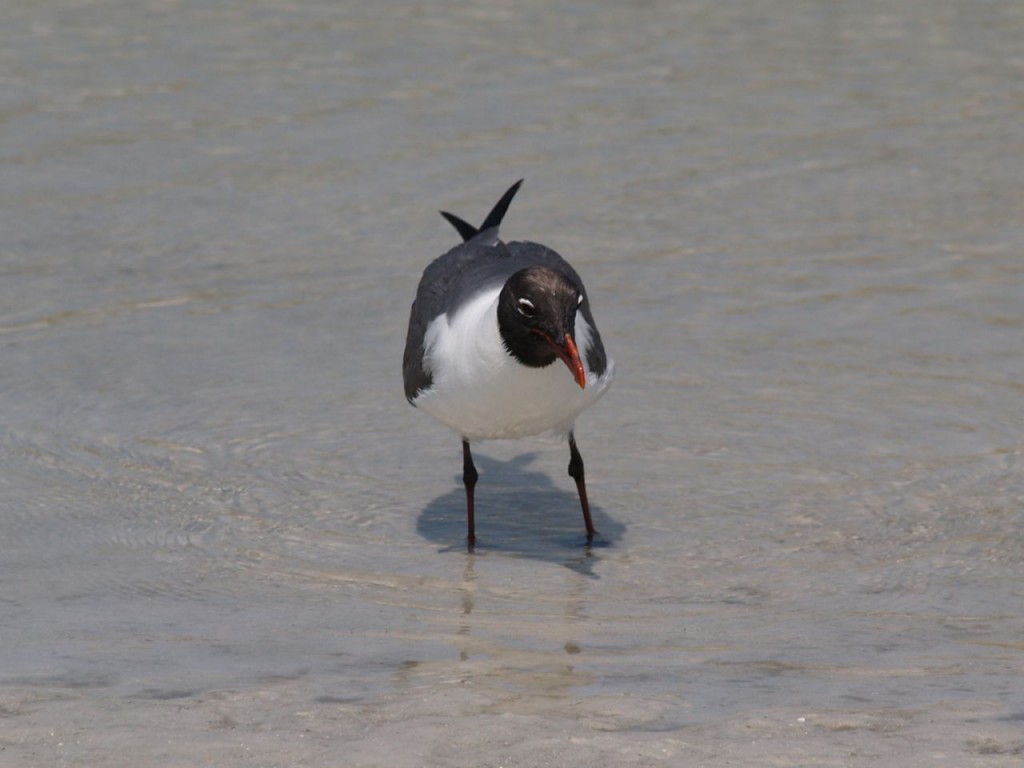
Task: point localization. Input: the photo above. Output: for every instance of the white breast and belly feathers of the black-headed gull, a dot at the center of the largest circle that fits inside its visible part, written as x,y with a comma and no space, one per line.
483,393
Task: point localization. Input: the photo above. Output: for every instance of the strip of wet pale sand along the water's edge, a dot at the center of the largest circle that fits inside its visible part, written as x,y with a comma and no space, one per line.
281,726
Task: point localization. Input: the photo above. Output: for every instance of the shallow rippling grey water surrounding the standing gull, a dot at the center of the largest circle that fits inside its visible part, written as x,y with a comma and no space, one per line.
800,226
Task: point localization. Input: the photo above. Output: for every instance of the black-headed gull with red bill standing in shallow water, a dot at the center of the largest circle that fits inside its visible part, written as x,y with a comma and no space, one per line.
489,324
